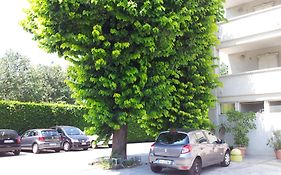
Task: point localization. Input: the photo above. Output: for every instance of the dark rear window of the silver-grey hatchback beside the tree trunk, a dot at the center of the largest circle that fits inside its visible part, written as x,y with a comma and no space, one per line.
173,138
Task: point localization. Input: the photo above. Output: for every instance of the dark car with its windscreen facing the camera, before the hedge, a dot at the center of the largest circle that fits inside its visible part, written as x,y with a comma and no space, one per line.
73,138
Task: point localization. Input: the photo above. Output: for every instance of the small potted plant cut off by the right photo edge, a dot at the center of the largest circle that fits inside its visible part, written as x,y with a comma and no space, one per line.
275,142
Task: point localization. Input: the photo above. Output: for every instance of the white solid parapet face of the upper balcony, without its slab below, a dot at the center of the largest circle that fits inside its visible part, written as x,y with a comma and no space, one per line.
259,22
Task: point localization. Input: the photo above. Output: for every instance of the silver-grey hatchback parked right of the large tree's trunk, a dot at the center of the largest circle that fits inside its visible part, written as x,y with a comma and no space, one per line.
188,151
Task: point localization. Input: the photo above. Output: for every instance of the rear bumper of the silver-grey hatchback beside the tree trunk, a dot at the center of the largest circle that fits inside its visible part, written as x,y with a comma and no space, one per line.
184,162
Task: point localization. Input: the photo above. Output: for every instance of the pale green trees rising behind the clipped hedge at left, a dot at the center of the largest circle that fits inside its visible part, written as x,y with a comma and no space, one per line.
21,81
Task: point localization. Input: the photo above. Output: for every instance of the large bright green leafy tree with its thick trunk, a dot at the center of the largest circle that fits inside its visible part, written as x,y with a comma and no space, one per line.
145,60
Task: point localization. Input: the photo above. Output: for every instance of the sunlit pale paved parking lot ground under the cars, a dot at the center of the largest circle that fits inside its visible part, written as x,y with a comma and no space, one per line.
76,163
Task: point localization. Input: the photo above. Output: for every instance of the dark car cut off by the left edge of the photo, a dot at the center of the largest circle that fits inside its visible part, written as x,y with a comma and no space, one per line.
9,141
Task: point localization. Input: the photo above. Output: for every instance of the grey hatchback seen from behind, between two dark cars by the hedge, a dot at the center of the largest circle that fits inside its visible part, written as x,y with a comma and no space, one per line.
41,139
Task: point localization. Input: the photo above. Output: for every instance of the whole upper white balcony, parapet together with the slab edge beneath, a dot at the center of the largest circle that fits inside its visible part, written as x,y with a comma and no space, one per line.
254,30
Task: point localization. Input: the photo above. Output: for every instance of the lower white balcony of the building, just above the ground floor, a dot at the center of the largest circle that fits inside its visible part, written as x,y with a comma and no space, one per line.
251,86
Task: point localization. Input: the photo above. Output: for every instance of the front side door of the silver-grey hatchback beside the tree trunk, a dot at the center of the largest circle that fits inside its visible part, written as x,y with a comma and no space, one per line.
217,153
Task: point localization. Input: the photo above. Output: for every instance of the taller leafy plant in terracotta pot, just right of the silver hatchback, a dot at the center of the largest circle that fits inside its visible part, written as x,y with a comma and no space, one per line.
239,124
